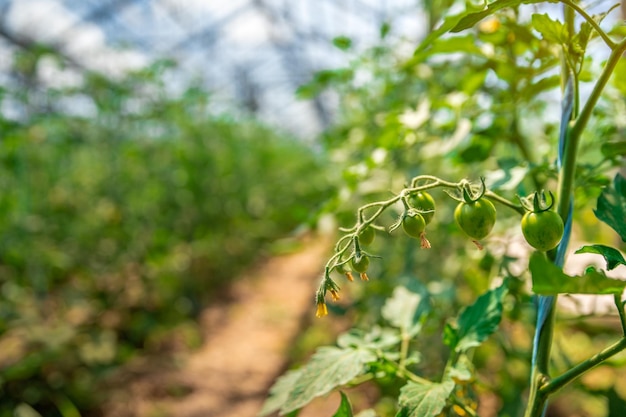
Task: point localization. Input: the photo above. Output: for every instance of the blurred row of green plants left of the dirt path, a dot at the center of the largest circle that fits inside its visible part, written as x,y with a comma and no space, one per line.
124,209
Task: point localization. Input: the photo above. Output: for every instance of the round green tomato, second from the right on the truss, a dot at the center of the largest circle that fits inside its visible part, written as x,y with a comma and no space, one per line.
476,218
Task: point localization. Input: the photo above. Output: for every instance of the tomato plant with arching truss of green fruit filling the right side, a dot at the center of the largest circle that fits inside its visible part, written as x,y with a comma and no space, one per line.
474,100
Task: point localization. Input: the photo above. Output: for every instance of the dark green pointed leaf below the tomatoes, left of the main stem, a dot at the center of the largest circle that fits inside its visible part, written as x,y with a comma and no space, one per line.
476,322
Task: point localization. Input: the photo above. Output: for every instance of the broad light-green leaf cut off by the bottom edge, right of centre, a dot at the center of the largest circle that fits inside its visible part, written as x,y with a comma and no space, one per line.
424,400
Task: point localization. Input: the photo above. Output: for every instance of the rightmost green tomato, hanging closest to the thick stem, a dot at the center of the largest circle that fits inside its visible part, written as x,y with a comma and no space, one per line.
543,230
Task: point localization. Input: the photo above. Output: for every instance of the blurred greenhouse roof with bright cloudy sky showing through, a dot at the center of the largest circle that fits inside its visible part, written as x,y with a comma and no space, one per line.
251,55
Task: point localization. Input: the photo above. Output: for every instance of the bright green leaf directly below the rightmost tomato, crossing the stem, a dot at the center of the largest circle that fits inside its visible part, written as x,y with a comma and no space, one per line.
548,279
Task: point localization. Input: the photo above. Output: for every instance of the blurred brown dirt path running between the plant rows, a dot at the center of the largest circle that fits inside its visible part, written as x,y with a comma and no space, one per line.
245,347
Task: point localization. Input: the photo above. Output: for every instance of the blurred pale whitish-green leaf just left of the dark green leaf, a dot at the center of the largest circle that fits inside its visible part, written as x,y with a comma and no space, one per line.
406,310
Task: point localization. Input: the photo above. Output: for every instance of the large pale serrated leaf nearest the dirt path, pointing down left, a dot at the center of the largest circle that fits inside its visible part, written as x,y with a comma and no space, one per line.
329,368
